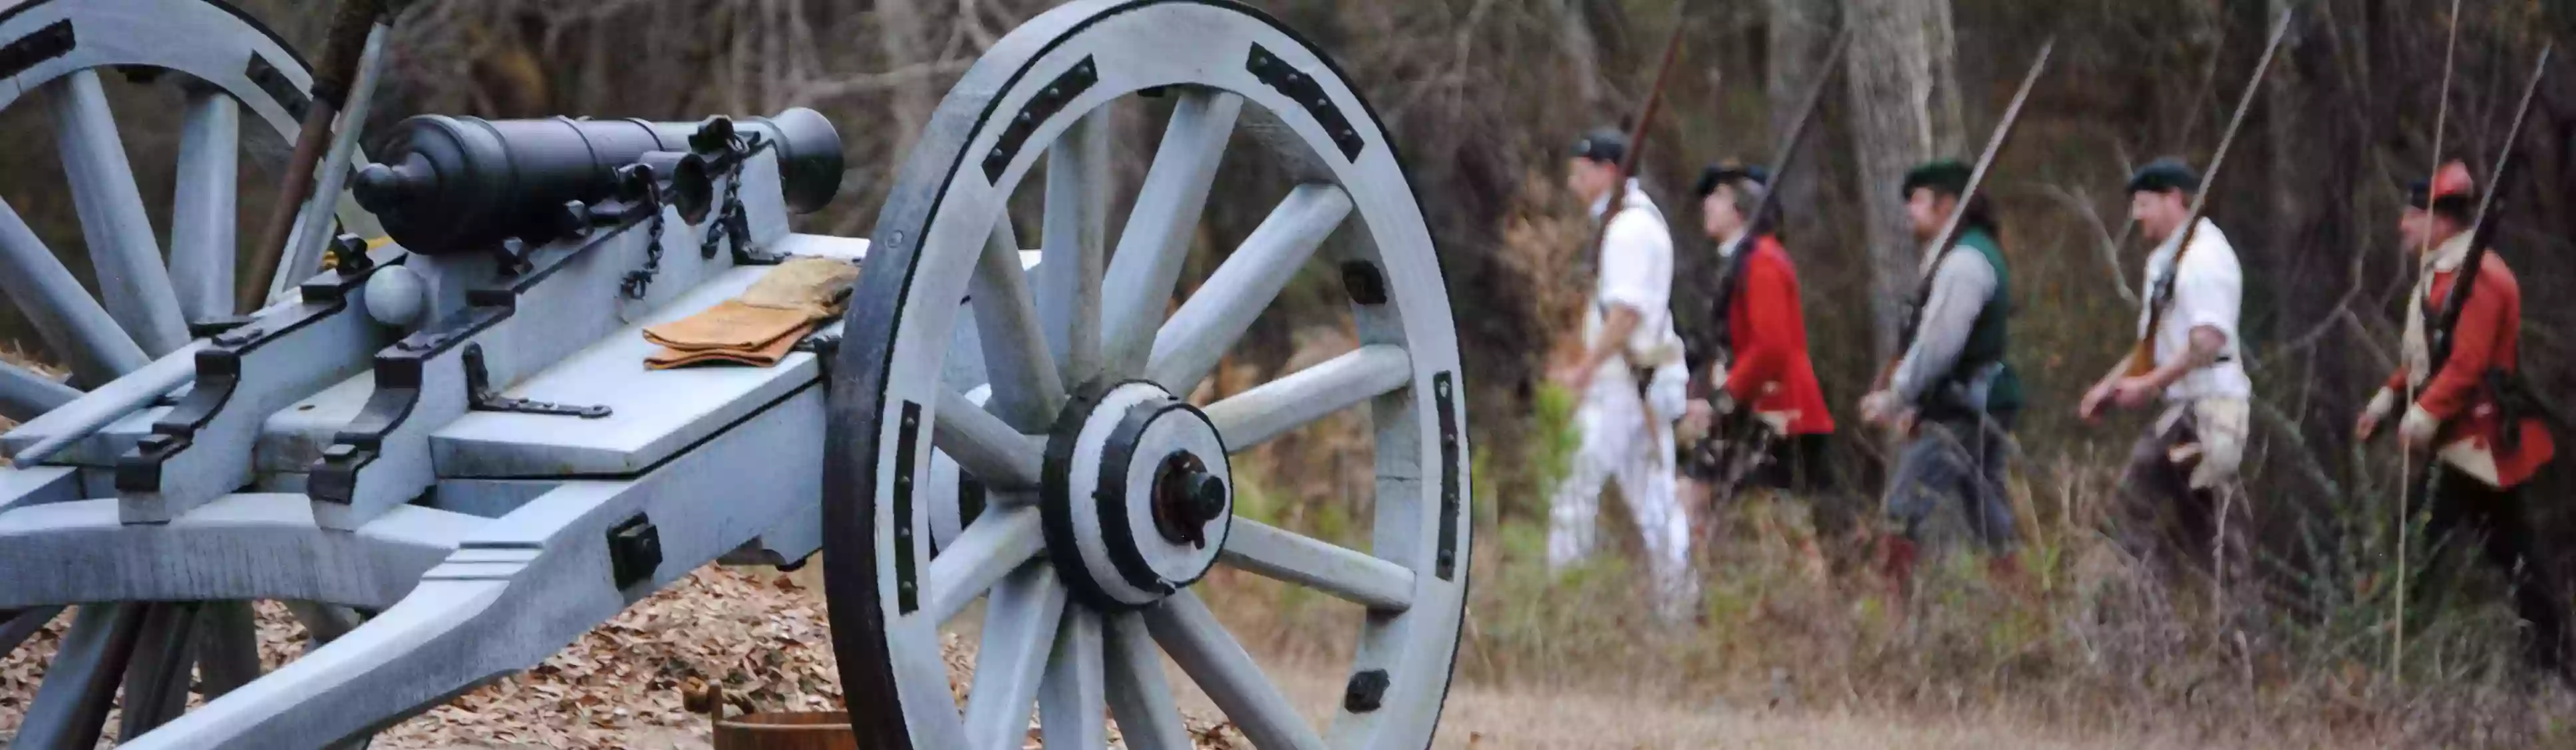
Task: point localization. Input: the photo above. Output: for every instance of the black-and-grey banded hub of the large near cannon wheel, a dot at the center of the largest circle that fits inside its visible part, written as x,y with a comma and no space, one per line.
1137,496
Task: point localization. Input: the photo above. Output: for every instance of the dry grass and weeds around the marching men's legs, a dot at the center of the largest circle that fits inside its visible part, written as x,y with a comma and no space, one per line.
2096,651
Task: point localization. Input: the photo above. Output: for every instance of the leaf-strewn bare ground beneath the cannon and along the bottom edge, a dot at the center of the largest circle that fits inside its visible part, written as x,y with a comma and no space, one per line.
769,635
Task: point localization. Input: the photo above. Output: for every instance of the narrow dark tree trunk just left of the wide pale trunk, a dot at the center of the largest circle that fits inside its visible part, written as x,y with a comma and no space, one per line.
1799,35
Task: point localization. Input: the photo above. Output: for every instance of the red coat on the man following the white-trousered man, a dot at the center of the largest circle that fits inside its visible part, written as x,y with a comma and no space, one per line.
1768,331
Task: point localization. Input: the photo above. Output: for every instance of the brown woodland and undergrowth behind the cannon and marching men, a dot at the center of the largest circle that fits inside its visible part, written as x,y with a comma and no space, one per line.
1485,97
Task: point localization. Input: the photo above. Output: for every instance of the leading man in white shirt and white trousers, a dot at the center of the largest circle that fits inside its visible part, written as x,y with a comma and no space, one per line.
1629,380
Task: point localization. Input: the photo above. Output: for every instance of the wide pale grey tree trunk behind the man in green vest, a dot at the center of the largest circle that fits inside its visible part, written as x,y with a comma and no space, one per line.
1892,130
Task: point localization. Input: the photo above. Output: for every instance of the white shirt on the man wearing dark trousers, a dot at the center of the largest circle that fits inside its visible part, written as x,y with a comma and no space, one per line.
2206,295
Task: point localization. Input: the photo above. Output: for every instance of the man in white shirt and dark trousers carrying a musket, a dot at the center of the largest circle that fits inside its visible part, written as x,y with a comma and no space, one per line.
2183,468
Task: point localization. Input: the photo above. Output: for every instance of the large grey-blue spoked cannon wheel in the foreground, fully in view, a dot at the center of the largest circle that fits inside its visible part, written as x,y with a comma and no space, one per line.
1060,396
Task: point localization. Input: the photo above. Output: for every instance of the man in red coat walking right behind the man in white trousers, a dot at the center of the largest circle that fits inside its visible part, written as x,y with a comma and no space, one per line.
1758,365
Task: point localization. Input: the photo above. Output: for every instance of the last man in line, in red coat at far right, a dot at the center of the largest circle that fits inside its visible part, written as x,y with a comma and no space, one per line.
2474,419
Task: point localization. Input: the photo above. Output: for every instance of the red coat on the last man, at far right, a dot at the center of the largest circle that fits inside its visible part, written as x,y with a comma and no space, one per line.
2490,336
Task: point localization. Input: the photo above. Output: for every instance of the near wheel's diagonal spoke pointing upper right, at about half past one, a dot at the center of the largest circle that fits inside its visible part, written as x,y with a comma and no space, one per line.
1243,287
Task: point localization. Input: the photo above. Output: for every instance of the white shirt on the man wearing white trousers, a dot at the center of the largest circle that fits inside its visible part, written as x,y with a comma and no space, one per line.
1634,272
